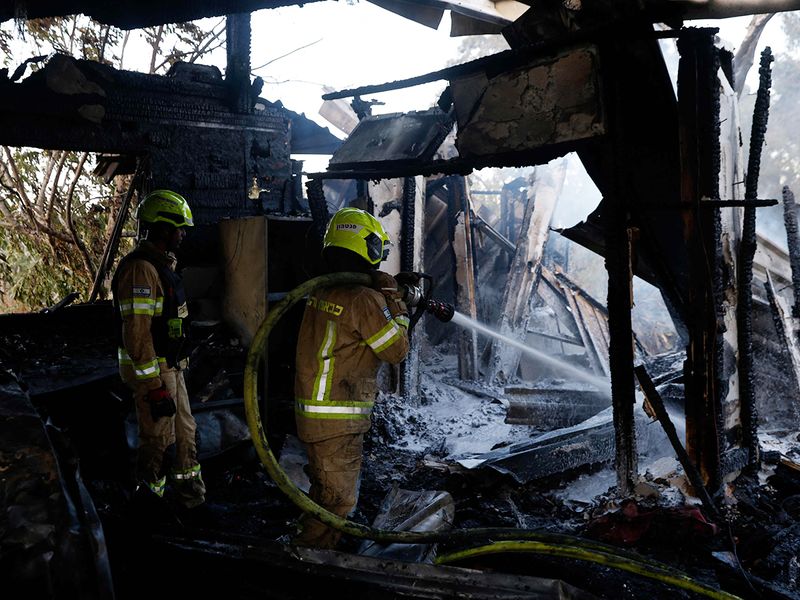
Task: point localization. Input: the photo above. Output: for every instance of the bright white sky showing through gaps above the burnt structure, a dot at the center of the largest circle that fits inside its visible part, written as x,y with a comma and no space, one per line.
358,43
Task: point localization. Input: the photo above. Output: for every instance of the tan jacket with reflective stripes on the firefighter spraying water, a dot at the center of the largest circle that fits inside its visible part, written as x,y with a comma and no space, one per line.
346,332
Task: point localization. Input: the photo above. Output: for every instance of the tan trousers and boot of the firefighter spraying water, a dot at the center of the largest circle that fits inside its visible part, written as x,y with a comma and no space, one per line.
334,466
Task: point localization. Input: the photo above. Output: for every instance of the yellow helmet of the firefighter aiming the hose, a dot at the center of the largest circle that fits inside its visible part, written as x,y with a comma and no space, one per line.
358,231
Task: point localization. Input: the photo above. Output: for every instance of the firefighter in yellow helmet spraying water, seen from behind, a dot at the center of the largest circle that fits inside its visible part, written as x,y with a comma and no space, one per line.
347,330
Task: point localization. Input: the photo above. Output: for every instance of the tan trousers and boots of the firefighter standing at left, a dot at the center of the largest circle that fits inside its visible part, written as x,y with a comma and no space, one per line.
155,437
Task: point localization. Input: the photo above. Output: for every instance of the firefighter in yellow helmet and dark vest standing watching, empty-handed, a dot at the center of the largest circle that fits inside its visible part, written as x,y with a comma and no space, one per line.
150,310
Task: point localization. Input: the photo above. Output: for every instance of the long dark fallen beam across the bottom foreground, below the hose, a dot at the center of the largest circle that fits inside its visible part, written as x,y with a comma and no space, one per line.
302,572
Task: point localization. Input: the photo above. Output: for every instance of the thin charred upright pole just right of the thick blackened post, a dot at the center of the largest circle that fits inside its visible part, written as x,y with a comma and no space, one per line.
747,253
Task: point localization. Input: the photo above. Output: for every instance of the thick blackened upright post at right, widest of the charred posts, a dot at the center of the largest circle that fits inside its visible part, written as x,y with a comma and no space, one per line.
698,108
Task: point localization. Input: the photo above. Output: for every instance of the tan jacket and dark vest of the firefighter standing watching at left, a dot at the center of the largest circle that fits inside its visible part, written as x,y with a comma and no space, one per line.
150,307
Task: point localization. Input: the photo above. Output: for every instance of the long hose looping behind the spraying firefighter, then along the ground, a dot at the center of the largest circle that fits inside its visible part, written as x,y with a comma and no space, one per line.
255,356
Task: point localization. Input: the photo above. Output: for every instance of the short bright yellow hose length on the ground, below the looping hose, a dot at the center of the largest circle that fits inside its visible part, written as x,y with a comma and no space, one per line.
602,558
